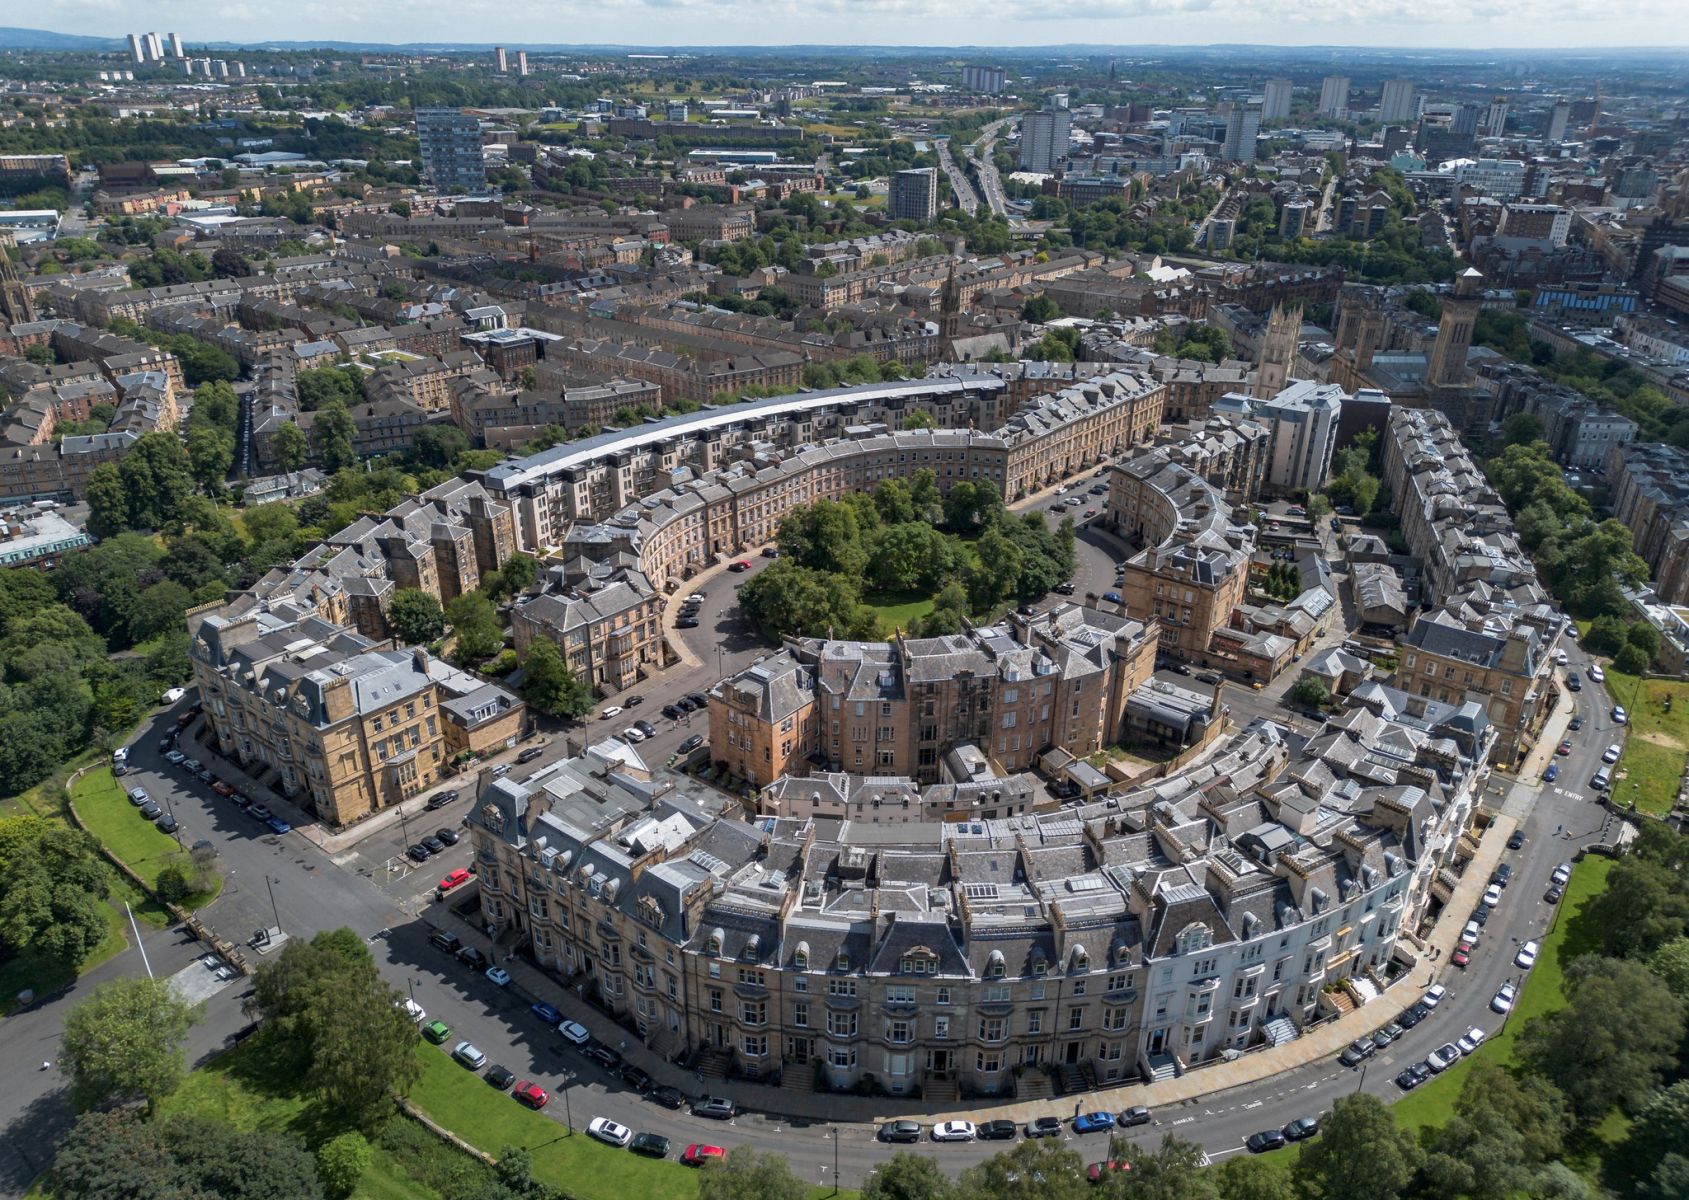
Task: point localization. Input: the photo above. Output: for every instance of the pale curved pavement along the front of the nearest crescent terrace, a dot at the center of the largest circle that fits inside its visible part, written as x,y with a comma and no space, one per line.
1325,1042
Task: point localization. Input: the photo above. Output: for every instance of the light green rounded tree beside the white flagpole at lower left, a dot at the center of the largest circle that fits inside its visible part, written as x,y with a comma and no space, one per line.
126,1044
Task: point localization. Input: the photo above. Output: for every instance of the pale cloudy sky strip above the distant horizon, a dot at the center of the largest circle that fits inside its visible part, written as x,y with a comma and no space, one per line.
904,23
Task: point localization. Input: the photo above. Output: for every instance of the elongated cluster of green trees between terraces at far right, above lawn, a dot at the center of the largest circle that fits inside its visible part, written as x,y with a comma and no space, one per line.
1582,560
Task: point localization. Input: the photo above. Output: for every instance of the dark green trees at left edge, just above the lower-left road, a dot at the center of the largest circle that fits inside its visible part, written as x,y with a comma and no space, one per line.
53,888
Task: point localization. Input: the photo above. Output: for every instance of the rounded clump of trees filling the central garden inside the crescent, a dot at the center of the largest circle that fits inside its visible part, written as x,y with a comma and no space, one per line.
964,548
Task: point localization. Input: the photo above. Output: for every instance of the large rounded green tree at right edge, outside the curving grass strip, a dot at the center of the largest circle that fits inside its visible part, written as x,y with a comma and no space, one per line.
1612,1042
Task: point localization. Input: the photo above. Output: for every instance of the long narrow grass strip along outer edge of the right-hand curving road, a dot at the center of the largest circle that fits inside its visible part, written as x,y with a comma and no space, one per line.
1545,991
